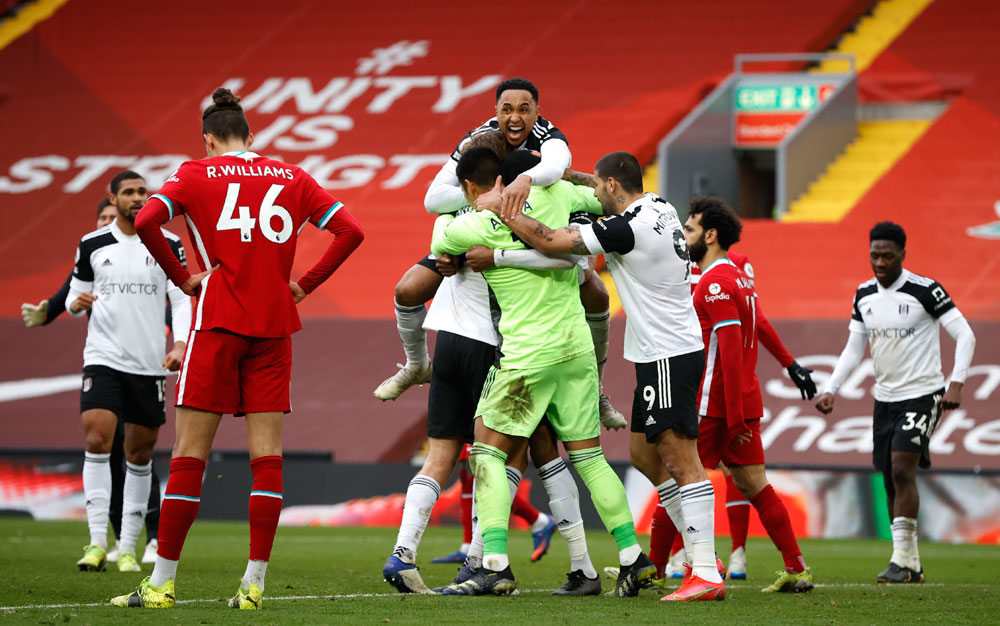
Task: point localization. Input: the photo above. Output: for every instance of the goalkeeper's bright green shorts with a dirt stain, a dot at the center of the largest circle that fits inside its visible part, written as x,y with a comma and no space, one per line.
514,401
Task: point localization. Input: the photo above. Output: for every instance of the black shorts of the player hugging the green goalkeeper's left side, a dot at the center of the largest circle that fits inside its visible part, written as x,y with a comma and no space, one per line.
460,368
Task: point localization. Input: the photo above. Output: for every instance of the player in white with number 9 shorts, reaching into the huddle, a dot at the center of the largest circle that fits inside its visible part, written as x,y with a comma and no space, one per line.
645,249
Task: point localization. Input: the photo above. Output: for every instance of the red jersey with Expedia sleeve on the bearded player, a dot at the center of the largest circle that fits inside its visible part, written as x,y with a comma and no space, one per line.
727,310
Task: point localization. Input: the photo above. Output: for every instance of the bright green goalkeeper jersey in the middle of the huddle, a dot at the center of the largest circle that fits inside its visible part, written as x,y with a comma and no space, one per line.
537,313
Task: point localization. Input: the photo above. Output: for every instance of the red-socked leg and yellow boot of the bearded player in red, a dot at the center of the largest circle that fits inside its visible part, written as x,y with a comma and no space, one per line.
752,481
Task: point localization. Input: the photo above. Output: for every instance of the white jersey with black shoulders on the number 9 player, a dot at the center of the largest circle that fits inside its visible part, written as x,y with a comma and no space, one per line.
648,258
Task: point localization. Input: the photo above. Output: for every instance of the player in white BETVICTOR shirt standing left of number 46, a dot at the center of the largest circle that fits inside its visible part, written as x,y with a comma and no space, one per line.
117,280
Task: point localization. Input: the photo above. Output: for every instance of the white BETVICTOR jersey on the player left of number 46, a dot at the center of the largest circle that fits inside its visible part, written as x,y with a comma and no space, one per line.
127,321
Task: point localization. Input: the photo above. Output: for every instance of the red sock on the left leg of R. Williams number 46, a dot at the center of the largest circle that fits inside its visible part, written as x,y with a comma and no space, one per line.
180,505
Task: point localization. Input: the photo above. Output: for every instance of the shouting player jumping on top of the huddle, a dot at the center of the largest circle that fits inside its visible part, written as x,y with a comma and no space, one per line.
518,118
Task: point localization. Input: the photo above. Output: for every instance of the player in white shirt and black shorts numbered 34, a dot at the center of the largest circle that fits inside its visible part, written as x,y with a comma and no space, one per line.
900,314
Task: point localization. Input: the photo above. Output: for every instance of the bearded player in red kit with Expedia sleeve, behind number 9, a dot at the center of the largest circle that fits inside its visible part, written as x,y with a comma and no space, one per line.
729,401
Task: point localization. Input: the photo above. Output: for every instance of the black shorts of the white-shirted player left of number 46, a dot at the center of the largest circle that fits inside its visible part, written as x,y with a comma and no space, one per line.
134,398
